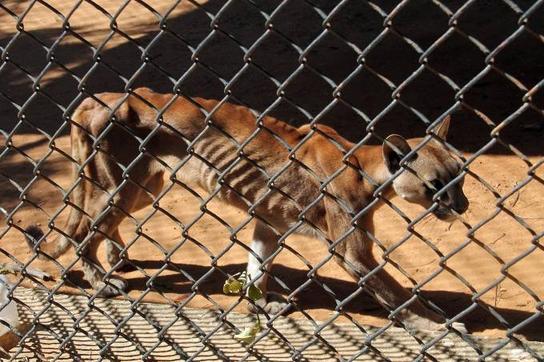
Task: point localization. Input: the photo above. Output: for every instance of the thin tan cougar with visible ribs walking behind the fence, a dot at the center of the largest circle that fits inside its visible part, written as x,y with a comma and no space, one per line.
216,161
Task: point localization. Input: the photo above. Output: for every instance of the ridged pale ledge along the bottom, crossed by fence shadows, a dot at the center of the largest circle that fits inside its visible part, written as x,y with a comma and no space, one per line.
138,337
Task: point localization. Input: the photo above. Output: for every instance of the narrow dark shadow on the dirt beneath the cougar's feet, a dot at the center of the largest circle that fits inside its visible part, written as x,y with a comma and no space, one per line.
452,303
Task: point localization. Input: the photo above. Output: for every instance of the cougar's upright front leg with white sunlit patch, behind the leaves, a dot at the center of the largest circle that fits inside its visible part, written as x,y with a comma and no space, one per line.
265,242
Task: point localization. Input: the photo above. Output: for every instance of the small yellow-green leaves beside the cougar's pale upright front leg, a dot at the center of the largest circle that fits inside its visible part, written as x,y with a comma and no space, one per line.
234,285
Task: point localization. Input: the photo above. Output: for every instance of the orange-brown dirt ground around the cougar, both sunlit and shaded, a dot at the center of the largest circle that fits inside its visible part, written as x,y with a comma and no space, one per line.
508,233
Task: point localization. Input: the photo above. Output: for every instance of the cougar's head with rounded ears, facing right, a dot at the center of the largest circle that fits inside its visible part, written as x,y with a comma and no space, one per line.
427,173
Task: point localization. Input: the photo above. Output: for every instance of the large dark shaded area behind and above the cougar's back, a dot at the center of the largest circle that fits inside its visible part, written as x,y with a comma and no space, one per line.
331,58
